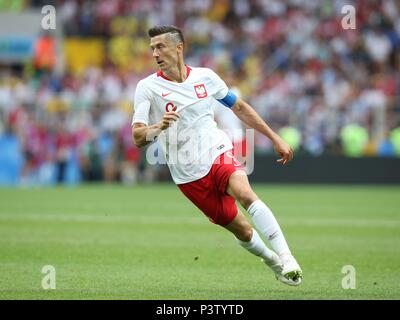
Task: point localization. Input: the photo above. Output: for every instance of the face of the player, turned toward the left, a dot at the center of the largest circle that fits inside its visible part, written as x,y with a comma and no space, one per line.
165,51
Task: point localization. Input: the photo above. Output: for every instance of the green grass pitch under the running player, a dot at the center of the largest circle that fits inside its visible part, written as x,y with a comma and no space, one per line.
149,242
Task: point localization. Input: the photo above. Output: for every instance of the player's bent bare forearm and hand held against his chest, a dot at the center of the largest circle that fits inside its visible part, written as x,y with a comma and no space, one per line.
142,135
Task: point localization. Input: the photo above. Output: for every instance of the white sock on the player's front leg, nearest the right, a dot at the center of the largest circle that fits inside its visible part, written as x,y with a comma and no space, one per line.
266,223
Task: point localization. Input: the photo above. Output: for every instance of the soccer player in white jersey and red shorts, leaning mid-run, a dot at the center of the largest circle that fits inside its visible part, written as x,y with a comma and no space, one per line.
174,105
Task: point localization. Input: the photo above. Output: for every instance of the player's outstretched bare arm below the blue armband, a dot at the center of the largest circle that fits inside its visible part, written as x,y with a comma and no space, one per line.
250,117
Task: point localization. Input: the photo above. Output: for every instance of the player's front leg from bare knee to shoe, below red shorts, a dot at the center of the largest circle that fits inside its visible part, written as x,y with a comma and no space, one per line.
264,220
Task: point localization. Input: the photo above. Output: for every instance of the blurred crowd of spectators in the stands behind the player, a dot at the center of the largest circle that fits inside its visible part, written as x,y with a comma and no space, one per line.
292,60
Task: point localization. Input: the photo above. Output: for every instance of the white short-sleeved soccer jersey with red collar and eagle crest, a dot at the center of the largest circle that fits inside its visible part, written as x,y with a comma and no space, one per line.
192,143
